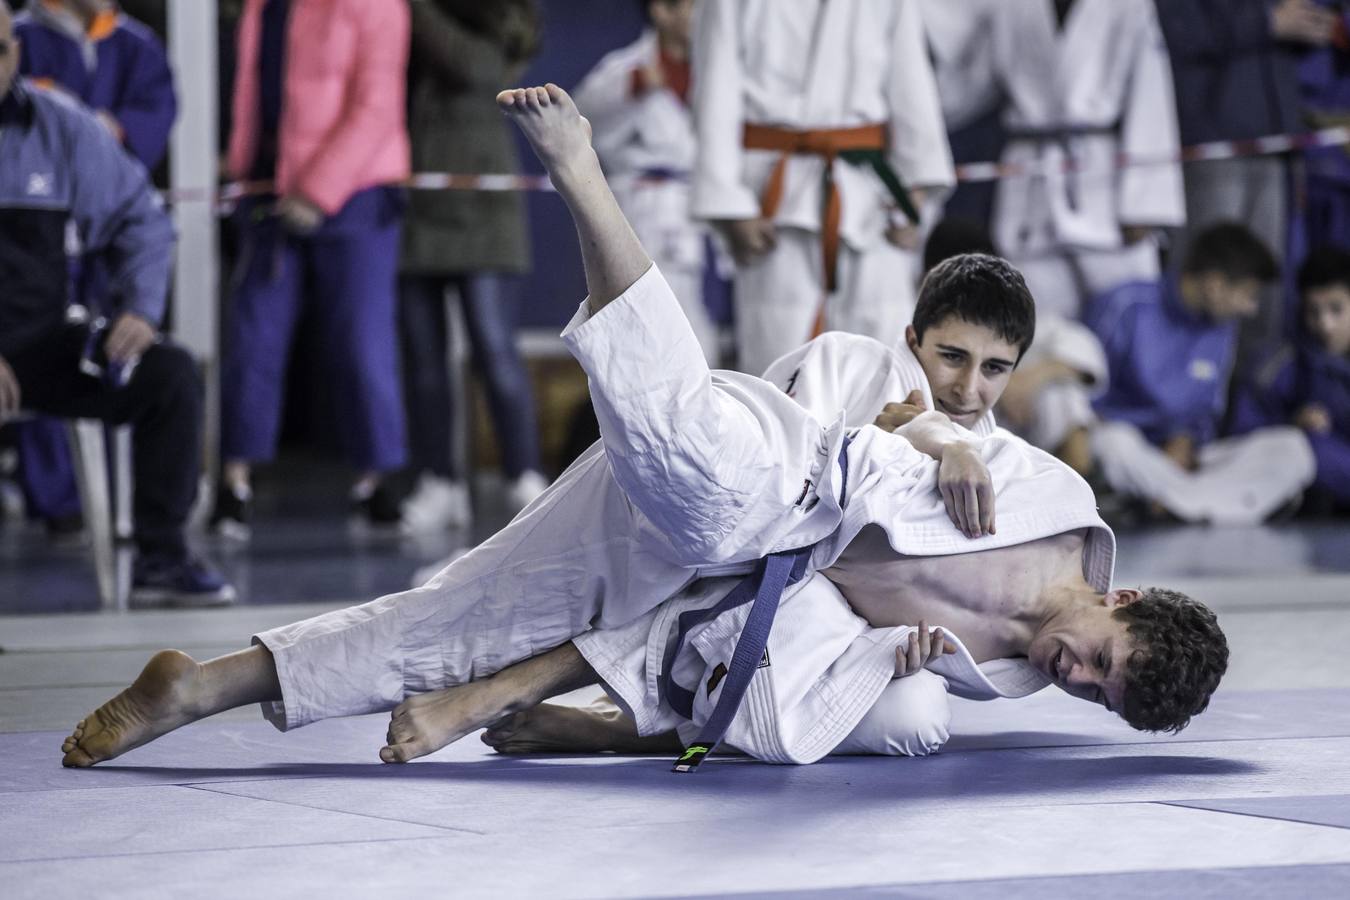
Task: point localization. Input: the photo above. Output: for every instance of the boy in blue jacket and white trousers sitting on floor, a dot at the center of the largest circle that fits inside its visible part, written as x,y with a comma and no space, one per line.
1170,349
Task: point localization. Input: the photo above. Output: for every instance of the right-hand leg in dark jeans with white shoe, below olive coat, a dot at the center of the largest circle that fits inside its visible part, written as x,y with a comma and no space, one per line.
491,314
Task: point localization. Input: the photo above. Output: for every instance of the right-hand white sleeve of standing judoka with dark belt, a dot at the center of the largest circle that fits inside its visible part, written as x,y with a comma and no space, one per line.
1151,195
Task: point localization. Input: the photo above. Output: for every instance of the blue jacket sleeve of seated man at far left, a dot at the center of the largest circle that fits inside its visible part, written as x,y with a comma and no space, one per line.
117,211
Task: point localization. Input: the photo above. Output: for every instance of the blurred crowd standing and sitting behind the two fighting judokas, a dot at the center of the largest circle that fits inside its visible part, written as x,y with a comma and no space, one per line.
1193,341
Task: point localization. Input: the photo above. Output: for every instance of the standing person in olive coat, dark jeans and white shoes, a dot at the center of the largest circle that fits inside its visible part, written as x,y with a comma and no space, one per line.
464,55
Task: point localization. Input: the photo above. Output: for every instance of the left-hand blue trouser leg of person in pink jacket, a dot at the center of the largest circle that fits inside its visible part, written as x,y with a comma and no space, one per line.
260,333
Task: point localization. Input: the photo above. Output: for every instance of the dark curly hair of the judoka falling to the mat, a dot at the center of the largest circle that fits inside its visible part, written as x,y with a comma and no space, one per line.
1179,662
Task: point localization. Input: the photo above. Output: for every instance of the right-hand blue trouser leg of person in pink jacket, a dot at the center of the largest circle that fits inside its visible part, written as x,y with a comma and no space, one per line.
353,268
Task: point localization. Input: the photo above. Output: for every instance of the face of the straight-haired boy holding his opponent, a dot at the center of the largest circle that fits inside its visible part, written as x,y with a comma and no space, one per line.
967,366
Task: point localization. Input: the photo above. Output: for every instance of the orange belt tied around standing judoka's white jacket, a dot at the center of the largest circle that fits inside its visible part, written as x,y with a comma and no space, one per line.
817,142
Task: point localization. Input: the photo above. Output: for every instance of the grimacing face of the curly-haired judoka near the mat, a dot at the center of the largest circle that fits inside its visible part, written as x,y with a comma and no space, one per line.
1089,652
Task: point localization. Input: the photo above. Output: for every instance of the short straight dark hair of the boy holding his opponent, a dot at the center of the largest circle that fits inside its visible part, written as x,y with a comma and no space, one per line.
982,291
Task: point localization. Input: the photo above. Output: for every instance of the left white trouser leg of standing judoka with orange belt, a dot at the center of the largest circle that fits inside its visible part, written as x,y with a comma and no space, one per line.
777,300
